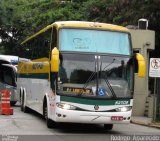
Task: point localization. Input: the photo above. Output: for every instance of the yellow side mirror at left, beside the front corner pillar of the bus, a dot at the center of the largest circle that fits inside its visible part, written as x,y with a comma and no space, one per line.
55,60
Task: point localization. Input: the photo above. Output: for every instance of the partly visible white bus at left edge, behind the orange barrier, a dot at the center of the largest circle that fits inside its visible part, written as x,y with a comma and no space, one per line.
8,75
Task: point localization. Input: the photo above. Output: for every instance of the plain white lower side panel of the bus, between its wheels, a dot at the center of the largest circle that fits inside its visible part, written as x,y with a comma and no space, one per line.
35,90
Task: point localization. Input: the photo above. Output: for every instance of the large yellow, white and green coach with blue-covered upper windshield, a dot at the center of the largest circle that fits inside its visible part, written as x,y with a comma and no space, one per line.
80,72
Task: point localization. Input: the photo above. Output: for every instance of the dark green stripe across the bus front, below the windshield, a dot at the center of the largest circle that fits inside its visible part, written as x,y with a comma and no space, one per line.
94,101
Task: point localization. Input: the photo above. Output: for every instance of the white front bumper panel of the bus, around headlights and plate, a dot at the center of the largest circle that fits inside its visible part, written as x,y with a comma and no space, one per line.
89,116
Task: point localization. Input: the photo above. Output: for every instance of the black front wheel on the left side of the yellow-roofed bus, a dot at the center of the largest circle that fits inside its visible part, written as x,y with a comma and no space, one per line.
45,113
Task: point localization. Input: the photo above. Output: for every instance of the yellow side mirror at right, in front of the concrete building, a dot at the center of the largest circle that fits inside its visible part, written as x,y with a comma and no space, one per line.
141,65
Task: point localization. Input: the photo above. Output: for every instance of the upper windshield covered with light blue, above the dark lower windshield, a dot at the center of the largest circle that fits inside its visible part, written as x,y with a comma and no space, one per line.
84,40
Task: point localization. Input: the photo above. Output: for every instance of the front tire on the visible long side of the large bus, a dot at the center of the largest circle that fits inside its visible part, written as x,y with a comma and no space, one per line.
49,122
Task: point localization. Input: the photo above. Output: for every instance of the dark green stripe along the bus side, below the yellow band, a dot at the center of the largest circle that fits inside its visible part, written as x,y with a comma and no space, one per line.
34,75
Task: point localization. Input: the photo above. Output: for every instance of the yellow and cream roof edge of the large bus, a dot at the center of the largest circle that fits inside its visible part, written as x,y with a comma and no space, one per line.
80,24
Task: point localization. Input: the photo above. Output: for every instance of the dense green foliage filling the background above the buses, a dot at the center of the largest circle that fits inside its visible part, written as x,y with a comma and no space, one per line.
20,18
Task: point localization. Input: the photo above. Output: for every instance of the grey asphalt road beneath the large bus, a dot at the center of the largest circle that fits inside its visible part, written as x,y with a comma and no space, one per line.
31,126
